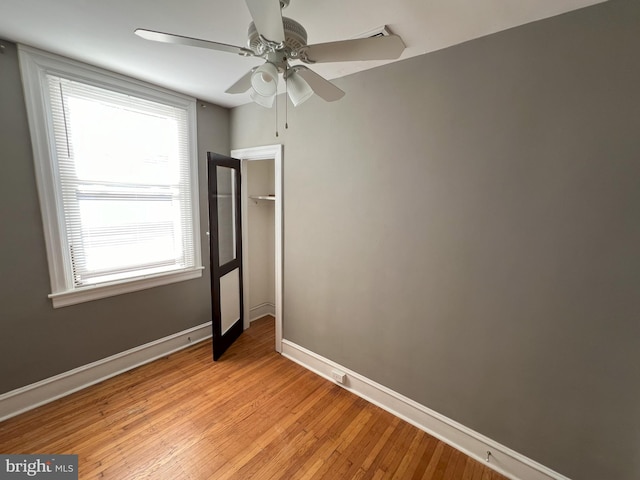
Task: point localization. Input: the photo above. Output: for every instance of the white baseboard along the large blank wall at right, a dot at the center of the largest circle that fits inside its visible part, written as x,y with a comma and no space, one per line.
503,460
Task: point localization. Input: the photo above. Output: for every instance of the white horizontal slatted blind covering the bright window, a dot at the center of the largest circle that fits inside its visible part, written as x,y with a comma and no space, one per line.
123,164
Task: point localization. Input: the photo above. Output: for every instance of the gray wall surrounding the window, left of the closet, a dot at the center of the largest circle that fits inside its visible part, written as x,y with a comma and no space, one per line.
37,341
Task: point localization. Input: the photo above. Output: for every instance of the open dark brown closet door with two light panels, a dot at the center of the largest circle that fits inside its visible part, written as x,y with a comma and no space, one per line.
225,244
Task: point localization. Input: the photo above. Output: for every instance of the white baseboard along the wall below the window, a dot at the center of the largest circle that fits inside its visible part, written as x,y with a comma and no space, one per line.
31,396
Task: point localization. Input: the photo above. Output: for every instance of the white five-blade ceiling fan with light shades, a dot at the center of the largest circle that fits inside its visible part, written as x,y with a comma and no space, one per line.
280,41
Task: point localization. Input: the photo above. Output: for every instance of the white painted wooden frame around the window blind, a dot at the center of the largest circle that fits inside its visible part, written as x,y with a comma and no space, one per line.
35,65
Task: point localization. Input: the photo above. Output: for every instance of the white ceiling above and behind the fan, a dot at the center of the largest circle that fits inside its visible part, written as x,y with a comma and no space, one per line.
100,32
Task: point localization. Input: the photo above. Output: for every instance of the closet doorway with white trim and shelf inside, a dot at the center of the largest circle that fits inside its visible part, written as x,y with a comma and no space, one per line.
271,201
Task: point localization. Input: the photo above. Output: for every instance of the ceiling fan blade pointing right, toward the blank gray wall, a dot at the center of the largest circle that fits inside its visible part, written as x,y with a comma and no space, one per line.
375,48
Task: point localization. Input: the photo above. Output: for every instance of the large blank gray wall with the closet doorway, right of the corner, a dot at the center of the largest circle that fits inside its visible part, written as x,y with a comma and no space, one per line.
463,228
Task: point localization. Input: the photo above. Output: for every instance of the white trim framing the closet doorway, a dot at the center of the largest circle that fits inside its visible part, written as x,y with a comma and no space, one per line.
275,153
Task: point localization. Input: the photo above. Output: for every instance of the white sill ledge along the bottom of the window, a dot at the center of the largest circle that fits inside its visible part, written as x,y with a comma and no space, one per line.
87,294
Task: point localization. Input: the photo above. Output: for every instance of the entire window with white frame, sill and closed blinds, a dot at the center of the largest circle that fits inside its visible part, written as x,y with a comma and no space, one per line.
117,177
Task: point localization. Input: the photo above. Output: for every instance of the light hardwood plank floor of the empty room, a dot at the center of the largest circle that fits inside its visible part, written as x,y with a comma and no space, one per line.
253,414
